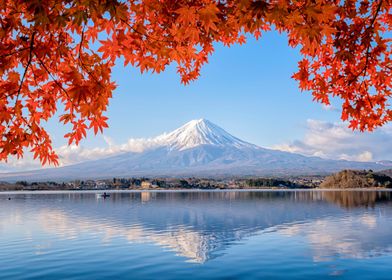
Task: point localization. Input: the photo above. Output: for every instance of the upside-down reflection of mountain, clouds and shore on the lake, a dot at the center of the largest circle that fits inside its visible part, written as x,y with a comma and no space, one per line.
202,225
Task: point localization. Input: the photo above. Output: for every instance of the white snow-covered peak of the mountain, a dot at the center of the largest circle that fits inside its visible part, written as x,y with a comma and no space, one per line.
200,132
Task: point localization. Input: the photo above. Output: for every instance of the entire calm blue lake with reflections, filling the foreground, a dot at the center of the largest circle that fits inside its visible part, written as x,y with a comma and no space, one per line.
196,235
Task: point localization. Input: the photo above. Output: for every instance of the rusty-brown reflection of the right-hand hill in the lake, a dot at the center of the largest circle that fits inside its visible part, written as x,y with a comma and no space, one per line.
352,199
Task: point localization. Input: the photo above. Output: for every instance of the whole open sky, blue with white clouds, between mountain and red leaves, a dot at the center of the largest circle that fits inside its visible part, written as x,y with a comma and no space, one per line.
247,90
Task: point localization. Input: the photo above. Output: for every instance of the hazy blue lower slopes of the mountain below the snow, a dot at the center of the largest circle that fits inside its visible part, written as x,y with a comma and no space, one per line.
205,160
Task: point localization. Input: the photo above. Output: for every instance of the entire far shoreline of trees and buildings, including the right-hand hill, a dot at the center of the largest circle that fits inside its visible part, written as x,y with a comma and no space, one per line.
346,179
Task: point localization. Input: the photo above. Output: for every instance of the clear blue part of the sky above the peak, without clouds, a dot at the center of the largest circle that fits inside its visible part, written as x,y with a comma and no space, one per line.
245,89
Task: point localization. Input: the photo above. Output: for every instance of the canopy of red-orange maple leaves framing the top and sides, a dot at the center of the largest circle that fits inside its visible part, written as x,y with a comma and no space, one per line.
57,55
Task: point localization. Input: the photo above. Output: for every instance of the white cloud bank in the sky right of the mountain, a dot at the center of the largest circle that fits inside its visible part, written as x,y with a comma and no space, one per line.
336,141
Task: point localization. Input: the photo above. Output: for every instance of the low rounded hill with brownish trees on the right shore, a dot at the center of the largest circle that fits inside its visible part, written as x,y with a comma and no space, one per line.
352,179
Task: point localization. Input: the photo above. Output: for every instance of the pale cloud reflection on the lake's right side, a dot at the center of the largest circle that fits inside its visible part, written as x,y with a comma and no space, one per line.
332,239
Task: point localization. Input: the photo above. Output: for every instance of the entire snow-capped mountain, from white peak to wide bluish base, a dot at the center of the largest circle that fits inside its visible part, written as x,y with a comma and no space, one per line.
198,148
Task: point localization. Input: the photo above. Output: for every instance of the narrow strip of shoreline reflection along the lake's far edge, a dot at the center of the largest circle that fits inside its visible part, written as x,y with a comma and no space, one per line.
343,198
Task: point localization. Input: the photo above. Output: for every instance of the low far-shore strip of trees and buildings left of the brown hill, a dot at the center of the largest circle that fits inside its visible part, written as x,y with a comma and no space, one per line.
144,183
